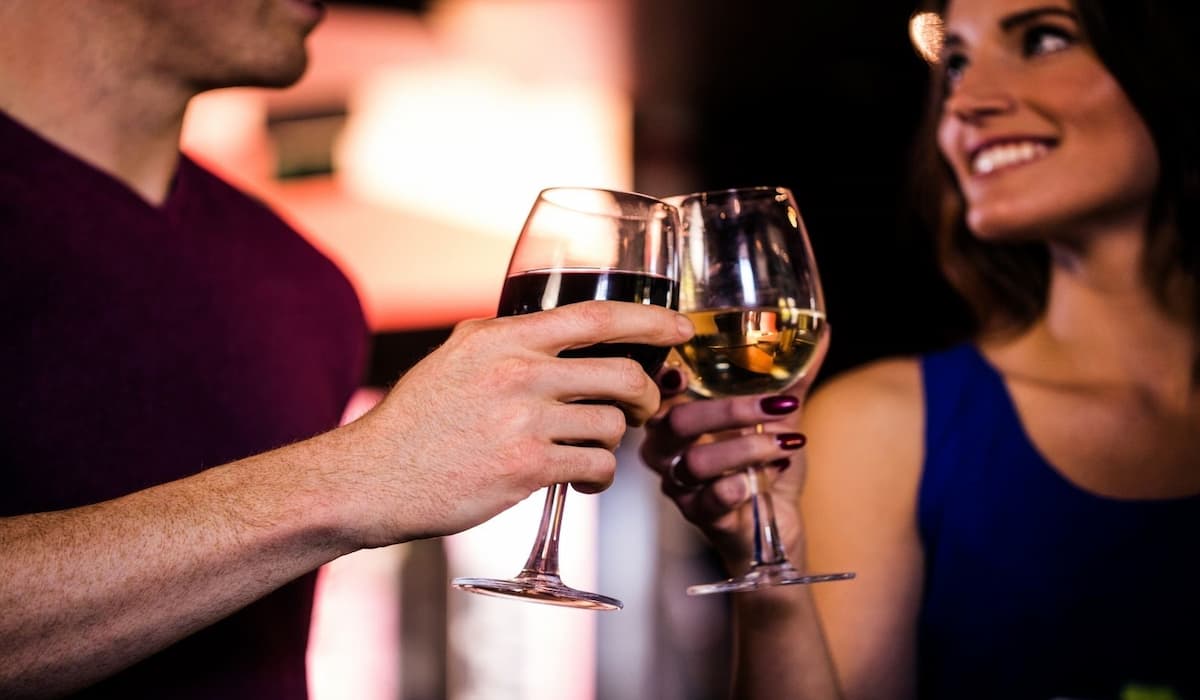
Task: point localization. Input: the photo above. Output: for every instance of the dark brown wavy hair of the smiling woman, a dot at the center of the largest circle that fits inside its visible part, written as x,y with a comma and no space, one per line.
1153,50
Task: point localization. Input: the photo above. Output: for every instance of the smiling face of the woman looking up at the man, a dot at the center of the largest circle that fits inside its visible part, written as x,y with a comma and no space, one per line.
1043,141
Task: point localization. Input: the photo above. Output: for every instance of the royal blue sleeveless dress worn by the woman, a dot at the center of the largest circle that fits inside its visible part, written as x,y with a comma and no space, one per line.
1036,589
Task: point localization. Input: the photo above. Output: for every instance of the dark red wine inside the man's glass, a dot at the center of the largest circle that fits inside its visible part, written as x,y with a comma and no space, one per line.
541,290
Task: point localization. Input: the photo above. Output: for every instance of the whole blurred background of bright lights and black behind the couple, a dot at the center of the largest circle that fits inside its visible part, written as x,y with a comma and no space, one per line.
411,153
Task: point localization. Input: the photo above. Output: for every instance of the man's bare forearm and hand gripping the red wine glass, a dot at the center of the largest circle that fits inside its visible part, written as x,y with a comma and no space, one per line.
471,430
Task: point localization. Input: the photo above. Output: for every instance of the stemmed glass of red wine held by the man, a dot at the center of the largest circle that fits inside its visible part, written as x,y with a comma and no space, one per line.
580,244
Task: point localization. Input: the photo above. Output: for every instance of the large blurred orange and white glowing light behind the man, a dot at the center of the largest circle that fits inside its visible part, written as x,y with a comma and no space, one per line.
454,124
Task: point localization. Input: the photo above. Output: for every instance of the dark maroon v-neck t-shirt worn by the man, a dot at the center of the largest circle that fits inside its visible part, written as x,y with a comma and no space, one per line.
146,344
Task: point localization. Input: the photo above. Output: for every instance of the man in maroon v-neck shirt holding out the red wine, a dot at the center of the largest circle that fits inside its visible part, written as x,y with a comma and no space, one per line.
176,360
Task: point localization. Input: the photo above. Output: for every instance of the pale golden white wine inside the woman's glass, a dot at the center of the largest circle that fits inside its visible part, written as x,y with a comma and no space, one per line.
751,351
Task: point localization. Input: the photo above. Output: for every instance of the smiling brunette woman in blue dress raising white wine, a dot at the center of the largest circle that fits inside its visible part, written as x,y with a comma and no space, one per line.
1019,508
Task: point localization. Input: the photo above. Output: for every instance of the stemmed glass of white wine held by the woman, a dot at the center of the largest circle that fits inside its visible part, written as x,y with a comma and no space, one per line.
749,283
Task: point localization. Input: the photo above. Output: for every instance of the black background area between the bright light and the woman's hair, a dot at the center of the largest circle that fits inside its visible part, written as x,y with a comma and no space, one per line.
824,98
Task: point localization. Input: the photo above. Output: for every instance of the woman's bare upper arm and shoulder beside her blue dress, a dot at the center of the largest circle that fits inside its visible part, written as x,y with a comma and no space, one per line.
865,459
